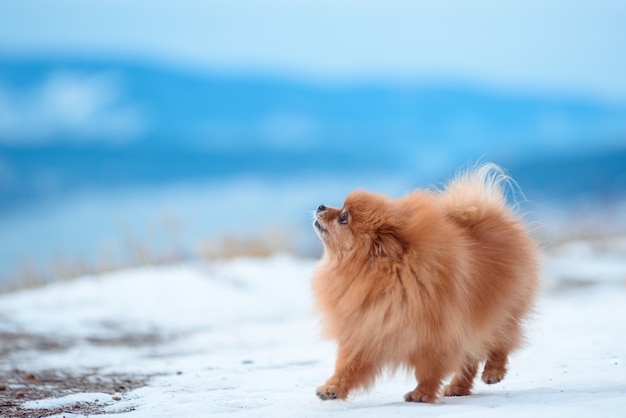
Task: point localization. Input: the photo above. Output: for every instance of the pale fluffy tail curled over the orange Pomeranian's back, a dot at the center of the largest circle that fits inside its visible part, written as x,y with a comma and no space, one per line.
477,193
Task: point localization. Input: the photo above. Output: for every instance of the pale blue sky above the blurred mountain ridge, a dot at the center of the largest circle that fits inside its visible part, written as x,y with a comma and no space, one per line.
574,46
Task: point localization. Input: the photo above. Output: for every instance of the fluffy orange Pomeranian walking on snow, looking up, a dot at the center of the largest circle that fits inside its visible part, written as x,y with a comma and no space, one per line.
435,282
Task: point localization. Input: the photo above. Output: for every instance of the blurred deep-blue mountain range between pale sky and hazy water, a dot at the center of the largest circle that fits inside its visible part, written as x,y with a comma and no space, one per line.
67,124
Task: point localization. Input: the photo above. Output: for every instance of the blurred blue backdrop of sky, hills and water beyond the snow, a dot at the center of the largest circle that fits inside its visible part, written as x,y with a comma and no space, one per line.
153,131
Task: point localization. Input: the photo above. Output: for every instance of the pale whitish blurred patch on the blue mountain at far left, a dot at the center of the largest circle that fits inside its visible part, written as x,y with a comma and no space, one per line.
69,107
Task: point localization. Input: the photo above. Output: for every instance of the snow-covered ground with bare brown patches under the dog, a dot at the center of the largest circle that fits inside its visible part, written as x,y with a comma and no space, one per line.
238,338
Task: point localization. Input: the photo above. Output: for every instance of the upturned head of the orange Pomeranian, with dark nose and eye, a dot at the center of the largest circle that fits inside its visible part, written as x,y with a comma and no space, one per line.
364,224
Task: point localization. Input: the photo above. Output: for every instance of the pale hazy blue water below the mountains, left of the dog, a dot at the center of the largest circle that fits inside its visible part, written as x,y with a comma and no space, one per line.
179,216
